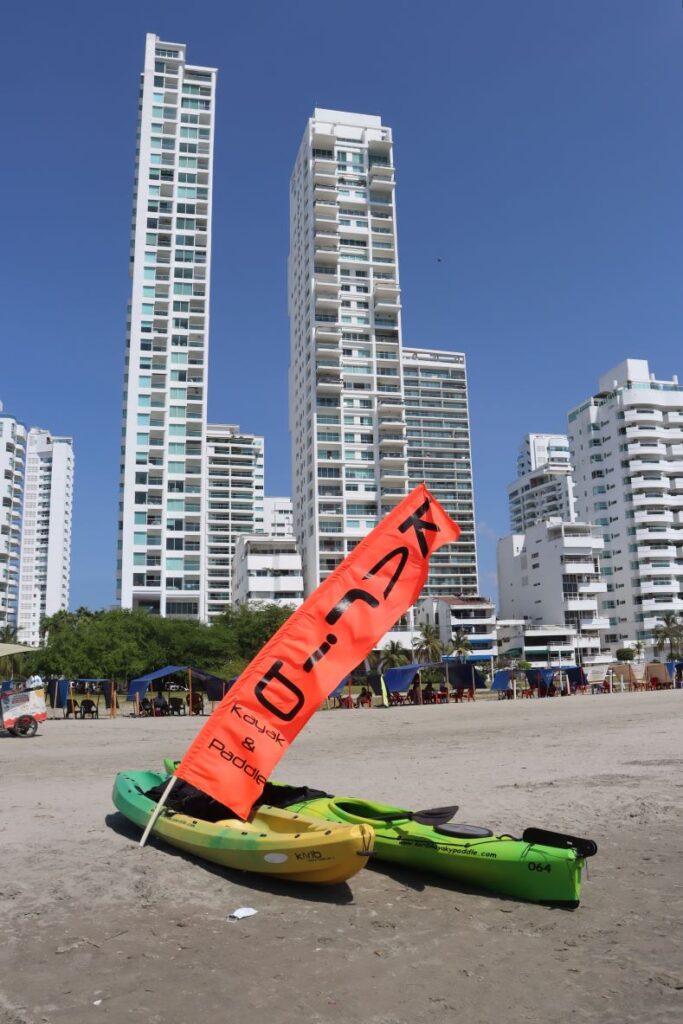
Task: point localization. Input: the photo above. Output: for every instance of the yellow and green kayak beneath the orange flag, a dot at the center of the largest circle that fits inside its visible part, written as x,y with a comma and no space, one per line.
276,842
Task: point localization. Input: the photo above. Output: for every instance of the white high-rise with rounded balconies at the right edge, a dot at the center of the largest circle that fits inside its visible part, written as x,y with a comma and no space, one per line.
627,451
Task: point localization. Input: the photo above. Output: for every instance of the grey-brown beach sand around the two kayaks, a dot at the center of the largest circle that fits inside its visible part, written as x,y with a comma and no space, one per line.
95,928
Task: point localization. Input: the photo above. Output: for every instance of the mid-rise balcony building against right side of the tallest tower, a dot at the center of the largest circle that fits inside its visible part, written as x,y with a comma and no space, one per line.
235,505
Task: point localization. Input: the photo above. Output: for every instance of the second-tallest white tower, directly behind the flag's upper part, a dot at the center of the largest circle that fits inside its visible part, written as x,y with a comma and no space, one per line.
346,389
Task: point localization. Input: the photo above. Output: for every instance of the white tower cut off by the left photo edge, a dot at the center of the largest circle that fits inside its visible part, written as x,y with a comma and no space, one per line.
13,462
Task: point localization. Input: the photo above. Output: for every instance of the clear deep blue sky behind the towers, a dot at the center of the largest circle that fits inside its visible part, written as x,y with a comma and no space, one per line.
539,156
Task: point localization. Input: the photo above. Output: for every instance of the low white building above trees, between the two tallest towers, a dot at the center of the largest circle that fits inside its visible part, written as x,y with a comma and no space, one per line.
268,570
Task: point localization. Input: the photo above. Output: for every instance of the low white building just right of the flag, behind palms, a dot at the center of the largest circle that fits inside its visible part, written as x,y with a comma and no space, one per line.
475,617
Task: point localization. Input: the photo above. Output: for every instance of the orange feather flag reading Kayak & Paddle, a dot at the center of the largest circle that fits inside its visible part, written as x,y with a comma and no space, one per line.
335,628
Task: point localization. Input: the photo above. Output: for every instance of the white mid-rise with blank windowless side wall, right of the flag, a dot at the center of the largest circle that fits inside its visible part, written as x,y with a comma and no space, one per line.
551,575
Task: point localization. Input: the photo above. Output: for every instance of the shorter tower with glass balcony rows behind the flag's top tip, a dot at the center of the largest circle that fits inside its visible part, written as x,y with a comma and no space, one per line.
440,453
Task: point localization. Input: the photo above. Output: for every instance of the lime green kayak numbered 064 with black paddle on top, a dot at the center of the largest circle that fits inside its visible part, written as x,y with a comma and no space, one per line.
499,864
